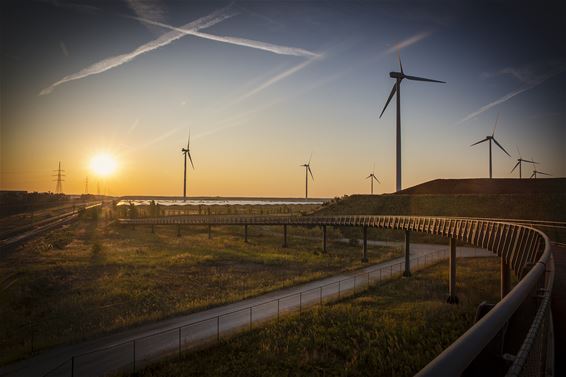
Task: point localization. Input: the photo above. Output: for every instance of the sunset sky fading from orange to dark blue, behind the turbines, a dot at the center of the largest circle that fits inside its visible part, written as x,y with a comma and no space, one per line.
261,86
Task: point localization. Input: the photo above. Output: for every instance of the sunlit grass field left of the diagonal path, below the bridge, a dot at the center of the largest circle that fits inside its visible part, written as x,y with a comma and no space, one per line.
91,278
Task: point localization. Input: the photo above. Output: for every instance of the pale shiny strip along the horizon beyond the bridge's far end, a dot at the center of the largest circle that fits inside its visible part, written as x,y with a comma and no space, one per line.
221,202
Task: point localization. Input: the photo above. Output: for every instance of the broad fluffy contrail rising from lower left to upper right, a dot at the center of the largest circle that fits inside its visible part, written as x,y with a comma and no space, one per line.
163,40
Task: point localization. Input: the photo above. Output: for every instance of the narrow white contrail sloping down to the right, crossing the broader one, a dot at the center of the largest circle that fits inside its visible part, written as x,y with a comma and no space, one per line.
277,49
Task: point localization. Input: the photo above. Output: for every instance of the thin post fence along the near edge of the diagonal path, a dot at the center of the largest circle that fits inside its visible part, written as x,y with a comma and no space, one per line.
131,355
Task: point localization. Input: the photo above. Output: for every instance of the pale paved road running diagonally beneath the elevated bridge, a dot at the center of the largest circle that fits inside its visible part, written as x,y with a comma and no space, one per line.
116,352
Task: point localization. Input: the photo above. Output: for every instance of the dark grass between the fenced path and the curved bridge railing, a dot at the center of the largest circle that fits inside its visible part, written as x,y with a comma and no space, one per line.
394,329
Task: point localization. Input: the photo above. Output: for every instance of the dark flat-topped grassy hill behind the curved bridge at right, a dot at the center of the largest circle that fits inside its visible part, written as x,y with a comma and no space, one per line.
496,198
